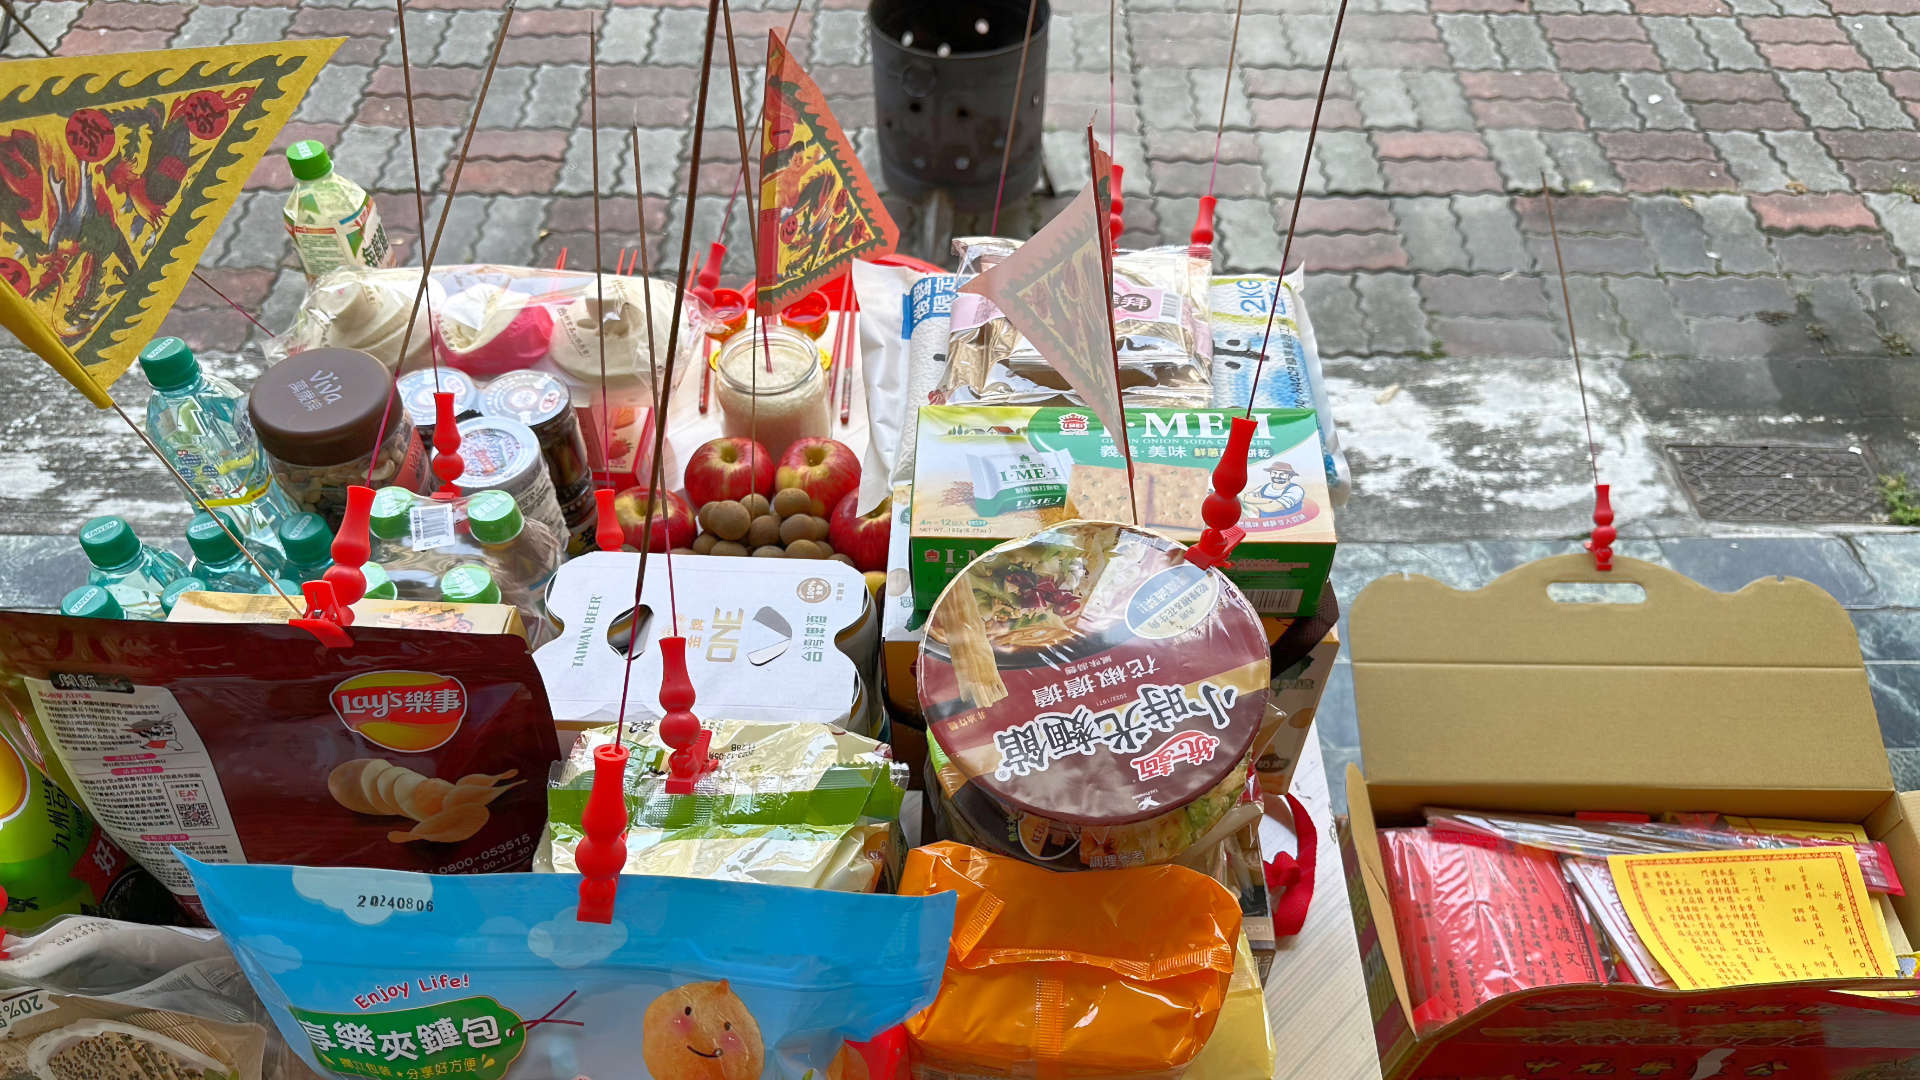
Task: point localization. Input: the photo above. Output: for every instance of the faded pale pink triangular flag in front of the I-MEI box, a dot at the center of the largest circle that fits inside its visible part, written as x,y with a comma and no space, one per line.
1055,289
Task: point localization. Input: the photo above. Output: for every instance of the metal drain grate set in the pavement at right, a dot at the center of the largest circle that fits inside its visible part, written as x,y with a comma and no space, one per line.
1779,483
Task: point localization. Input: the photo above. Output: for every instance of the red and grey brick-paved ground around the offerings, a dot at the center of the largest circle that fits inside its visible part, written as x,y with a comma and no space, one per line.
1737,184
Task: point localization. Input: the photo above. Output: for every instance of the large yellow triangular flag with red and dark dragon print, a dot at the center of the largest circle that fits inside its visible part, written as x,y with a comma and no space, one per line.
114,174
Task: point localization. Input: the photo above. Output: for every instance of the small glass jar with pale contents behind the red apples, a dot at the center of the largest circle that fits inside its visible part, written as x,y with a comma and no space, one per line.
771,387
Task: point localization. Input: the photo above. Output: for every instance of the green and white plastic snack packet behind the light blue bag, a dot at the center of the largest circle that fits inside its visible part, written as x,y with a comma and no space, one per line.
790,804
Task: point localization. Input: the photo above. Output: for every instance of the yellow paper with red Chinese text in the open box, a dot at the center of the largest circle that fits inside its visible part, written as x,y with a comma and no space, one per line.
1740,918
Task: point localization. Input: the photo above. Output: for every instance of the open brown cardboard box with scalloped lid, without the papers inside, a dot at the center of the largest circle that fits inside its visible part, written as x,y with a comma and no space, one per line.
1691,700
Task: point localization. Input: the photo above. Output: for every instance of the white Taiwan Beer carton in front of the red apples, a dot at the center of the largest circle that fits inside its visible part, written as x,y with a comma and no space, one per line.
784,641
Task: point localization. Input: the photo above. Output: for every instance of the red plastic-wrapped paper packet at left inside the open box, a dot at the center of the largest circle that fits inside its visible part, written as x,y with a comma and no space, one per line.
1481,920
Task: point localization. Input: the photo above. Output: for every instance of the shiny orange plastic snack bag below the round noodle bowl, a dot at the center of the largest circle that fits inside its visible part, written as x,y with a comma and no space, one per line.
1065,977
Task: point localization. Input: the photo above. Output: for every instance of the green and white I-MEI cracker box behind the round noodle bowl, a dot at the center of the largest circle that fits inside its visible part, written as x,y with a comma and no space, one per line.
994,474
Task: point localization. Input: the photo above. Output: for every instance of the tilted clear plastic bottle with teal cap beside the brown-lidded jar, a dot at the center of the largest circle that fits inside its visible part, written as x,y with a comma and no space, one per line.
201,424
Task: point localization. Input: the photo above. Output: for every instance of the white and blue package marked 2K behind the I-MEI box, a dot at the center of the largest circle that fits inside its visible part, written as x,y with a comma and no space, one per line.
1239,310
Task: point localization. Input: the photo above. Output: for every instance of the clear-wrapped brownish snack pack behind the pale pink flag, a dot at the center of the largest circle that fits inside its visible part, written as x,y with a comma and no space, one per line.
1161,320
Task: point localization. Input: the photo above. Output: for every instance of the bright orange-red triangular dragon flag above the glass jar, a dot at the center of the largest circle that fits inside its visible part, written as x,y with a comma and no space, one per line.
819,210
